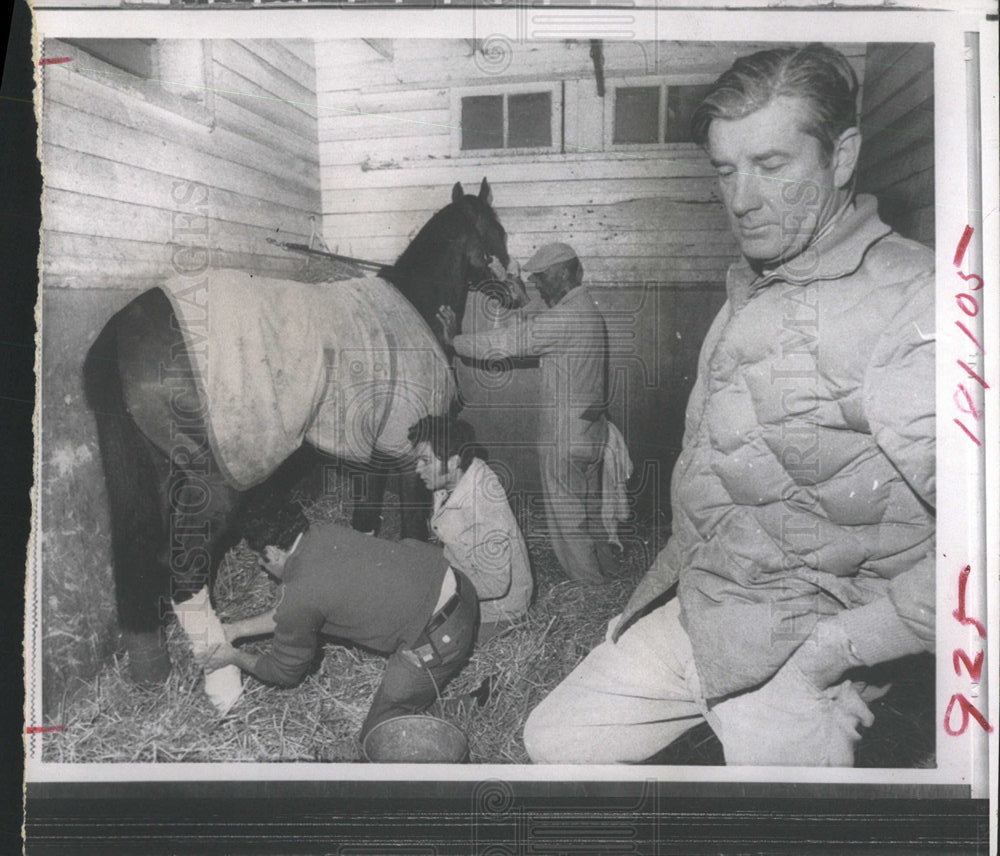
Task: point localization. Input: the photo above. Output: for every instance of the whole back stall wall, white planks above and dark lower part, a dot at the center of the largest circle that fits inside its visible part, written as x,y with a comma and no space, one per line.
648,224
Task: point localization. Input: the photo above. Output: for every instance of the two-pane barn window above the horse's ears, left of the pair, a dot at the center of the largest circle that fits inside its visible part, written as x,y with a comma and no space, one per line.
507,120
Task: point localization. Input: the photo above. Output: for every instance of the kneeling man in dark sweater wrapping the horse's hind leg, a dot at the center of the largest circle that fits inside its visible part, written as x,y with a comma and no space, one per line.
399,598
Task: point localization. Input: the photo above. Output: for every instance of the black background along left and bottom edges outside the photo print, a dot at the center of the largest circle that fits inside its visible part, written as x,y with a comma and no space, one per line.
355,818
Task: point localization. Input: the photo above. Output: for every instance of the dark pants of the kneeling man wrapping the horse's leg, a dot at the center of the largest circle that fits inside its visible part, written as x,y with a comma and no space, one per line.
411,684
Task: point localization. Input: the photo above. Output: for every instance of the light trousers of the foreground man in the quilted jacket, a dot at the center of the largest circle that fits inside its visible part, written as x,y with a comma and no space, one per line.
628,700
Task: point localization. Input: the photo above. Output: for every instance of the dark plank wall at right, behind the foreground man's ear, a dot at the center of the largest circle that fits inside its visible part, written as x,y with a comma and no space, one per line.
897,121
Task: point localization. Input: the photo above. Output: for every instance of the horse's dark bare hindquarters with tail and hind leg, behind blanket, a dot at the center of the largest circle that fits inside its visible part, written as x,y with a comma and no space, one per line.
171,509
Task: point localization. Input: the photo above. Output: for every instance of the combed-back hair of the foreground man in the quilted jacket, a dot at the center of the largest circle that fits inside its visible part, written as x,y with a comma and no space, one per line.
820,76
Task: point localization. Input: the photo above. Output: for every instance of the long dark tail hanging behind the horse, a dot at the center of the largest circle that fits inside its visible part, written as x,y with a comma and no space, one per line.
142,578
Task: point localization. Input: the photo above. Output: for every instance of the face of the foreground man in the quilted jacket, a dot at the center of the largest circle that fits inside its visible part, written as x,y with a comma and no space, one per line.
778,187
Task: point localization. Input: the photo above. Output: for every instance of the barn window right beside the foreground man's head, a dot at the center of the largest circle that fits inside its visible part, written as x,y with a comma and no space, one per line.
651,113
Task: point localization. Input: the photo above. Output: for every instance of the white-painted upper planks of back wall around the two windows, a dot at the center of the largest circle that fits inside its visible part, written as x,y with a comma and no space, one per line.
385,127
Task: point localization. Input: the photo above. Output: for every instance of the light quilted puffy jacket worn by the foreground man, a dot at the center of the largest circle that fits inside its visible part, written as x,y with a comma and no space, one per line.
805,488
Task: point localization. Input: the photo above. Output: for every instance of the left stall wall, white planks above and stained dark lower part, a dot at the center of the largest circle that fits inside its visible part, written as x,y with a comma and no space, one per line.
140,177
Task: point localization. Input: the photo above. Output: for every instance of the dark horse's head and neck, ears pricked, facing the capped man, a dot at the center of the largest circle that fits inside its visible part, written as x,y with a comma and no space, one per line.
451,254
